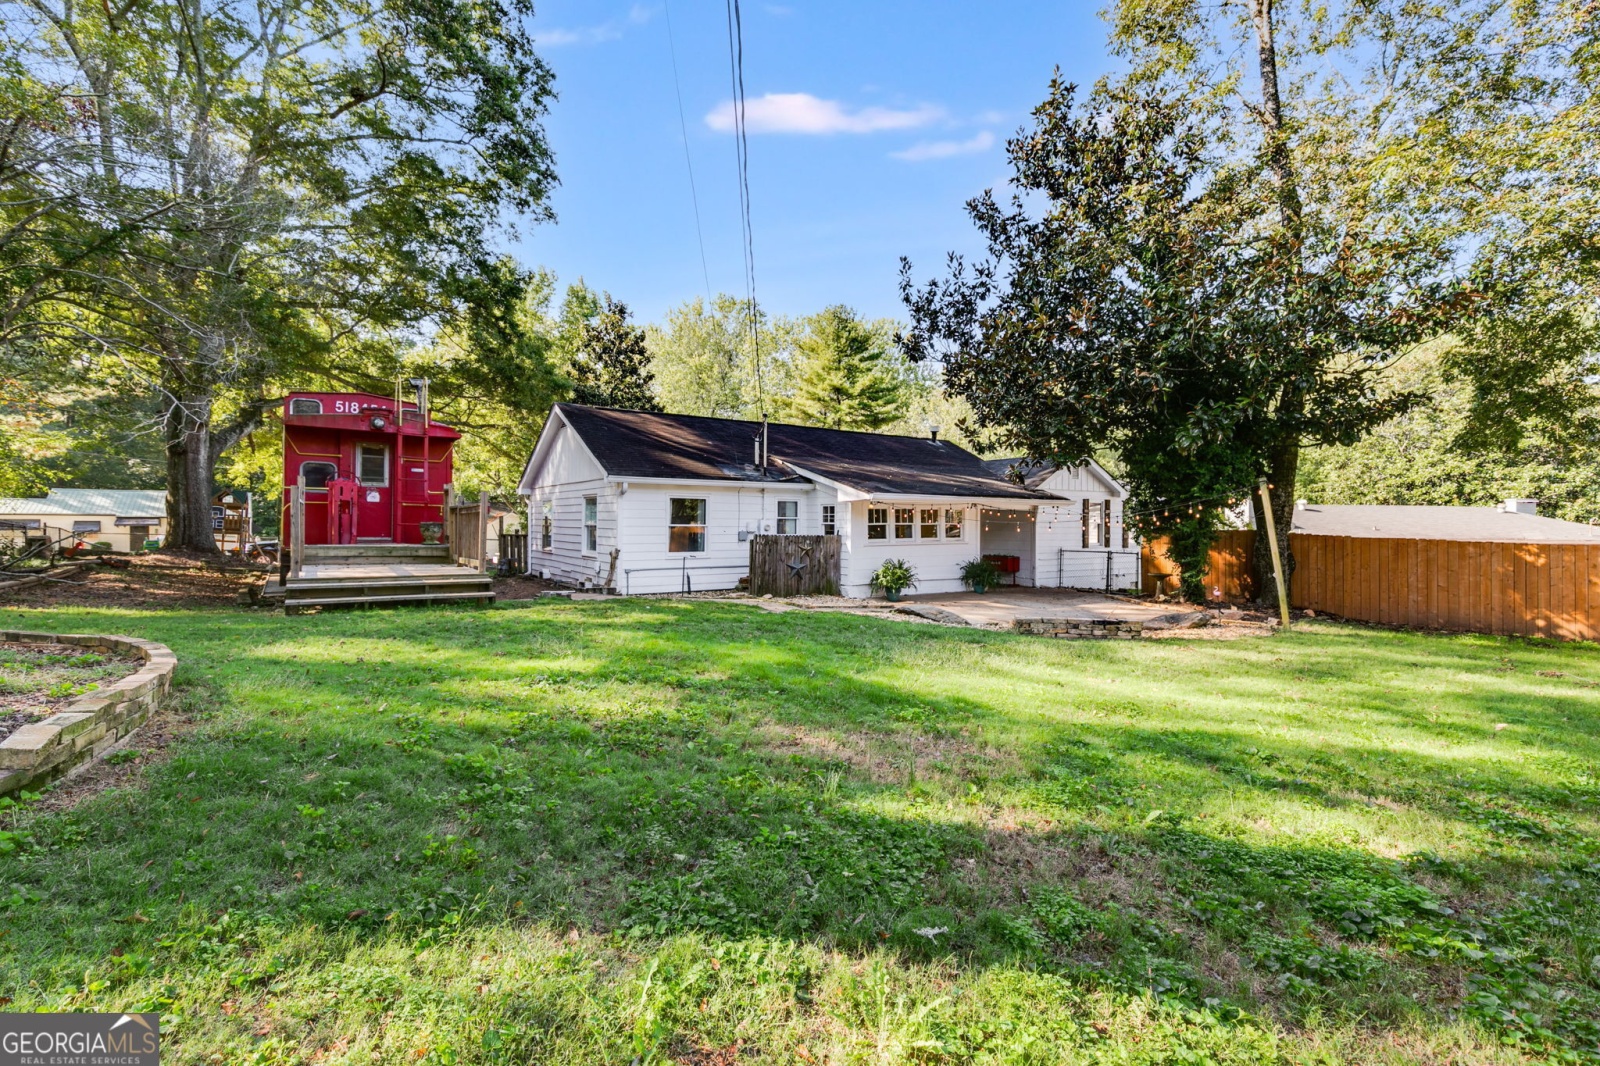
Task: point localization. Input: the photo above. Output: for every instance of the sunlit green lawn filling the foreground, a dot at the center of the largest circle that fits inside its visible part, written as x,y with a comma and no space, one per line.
650,832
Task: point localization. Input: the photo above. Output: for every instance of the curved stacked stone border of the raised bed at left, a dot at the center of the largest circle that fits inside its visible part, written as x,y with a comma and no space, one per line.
70,740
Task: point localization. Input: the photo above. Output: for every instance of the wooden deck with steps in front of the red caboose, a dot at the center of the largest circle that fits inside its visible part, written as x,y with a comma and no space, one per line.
380,575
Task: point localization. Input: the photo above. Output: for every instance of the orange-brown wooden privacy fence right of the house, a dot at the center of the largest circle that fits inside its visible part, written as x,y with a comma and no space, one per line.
1479,587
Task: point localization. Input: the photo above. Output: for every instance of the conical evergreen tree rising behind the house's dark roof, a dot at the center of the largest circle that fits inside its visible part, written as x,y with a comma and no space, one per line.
846,375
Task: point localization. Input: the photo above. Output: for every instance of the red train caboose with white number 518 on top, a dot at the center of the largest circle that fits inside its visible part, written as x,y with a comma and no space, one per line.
375,467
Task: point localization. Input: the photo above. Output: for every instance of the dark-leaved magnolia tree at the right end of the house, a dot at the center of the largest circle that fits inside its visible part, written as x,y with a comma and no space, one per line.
1159,303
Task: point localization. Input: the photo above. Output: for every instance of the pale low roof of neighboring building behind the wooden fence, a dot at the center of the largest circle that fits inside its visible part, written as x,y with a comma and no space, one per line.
1513,523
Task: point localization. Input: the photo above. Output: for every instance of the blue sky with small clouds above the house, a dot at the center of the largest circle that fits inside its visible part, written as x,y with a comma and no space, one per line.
871,126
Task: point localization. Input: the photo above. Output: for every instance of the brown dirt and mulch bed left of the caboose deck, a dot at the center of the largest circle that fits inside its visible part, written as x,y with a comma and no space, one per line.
161,582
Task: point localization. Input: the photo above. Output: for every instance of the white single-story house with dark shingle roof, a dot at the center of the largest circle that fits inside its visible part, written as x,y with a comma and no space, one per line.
668,503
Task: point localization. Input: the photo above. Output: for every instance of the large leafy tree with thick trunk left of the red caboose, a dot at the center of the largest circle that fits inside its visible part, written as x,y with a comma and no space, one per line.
292,182
